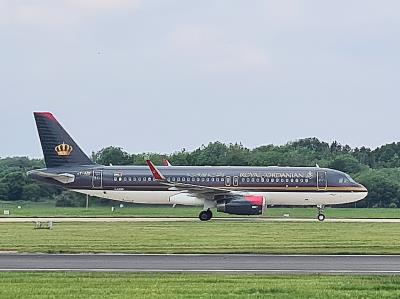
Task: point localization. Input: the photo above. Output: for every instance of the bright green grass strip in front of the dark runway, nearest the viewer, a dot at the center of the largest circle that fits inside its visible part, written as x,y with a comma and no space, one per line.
165,286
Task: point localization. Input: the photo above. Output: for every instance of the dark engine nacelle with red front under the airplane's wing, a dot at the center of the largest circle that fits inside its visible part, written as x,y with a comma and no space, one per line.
242,205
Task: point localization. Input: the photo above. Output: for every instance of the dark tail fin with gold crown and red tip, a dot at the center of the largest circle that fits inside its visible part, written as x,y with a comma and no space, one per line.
59,149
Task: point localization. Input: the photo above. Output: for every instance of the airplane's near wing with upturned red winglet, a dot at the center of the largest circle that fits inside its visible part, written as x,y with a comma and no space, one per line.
195,190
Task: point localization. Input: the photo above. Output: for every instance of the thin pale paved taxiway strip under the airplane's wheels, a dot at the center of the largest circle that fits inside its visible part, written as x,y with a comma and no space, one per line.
171,219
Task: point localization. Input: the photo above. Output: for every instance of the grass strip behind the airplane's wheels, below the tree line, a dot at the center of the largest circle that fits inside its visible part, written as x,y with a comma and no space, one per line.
48,209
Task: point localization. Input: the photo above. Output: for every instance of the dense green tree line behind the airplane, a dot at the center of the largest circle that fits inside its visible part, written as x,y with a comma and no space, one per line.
378,169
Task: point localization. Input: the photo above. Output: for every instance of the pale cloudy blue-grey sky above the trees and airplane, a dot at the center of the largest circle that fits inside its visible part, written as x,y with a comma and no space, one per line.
163,75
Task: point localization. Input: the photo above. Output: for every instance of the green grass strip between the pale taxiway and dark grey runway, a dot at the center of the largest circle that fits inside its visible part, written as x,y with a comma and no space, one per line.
199,237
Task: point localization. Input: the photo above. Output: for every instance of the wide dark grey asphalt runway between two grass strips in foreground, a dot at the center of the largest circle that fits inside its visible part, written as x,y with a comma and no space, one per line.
261,264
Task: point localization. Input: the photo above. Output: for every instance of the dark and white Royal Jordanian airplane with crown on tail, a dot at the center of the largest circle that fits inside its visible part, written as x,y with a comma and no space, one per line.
230,189
